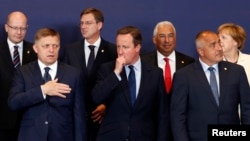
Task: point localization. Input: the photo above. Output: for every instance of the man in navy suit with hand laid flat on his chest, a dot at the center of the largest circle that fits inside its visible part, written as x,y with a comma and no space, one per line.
50,94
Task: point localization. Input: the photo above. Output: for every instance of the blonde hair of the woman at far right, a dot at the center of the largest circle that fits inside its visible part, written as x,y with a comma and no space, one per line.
235,31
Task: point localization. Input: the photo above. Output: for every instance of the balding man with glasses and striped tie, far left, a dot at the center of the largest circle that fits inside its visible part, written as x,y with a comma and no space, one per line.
16,28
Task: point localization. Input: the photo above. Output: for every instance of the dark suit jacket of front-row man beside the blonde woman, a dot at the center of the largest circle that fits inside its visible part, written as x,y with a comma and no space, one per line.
193,106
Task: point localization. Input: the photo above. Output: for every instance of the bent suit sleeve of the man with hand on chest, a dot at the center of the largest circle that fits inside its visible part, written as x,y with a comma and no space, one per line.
20,98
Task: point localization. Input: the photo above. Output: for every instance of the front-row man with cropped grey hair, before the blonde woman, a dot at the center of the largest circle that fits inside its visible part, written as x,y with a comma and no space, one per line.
195,105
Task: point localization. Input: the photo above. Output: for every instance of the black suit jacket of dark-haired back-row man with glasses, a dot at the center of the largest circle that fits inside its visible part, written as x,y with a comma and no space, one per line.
75,56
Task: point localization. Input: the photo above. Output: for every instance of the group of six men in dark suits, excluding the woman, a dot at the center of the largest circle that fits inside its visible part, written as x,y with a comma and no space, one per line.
55,110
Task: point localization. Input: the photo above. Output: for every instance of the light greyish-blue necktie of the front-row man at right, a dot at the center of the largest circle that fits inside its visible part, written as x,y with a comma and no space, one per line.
213,85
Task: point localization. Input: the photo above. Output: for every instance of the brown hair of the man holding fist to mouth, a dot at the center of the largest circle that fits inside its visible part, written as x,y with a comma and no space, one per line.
133,31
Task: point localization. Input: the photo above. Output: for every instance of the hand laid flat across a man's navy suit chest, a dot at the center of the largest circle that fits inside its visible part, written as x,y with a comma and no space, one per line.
53,88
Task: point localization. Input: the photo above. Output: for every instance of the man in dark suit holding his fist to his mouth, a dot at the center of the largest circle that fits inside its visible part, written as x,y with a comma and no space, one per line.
133,113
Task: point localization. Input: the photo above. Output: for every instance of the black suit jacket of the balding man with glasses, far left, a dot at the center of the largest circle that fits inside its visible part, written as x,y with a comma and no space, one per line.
8,118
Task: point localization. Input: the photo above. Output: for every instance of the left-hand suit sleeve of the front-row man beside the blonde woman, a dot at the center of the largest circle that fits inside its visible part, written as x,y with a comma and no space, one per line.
178,107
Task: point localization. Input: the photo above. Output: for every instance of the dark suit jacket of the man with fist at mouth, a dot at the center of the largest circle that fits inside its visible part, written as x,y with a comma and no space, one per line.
147,120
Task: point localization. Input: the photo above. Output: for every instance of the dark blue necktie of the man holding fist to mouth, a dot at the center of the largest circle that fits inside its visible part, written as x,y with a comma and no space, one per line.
132,84
